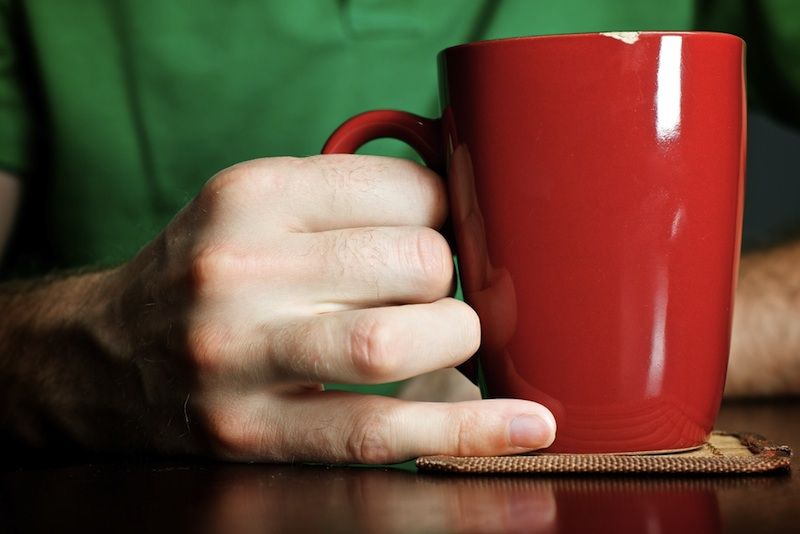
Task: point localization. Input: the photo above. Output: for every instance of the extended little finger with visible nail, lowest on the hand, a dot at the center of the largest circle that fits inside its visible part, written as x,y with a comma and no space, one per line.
346,427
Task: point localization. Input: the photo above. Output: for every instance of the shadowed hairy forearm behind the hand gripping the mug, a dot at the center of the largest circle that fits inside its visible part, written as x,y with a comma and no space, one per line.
58,379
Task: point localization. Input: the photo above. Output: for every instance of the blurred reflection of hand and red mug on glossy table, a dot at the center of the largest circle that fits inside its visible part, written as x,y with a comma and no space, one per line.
389,501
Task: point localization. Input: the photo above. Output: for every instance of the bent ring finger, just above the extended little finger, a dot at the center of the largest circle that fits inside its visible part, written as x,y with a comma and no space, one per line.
369,346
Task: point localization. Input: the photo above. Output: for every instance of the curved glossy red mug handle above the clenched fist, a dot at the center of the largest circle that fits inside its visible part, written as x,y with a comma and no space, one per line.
422,134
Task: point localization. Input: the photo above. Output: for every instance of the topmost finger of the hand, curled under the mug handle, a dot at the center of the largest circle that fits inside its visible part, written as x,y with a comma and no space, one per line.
347,191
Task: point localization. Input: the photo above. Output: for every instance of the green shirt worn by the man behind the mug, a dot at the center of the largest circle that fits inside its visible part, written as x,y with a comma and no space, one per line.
115,113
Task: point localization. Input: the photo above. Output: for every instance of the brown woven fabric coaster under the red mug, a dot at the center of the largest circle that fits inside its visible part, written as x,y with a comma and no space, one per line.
723,453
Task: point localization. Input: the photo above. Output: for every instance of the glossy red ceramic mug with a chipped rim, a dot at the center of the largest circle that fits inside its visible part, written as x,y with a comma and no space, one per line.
595,184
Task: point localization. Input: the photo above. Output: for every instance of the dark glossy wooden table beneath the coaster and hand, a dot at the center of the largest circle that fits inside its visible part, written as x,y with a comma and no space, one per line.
143,495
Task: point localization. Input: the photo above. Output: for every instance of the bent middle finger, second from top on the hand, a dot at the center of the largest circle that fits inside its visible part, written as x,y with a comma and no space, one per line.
366,267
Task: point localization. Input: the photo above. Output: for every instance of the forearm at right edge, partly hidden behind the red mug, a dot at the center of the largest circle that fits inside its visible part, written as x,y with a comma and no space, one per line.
765,350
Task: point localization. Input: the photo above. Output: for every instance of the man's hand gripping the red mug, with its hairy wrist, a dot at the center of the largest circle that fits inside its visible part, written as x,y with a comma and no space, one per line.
281,275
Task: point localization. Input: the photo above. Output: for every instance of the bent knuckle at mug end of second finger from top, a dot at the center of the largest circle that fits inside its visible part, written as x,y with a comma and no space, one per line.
428,254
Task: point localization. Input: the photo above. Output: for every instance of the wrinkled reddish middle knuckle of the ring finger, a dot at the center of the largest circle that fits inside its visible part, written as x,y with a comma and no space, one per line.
371,353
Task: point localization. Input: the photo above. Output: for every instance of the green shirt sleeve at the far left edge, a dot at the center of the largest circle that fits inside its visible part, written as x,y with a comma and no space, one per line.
15,123
